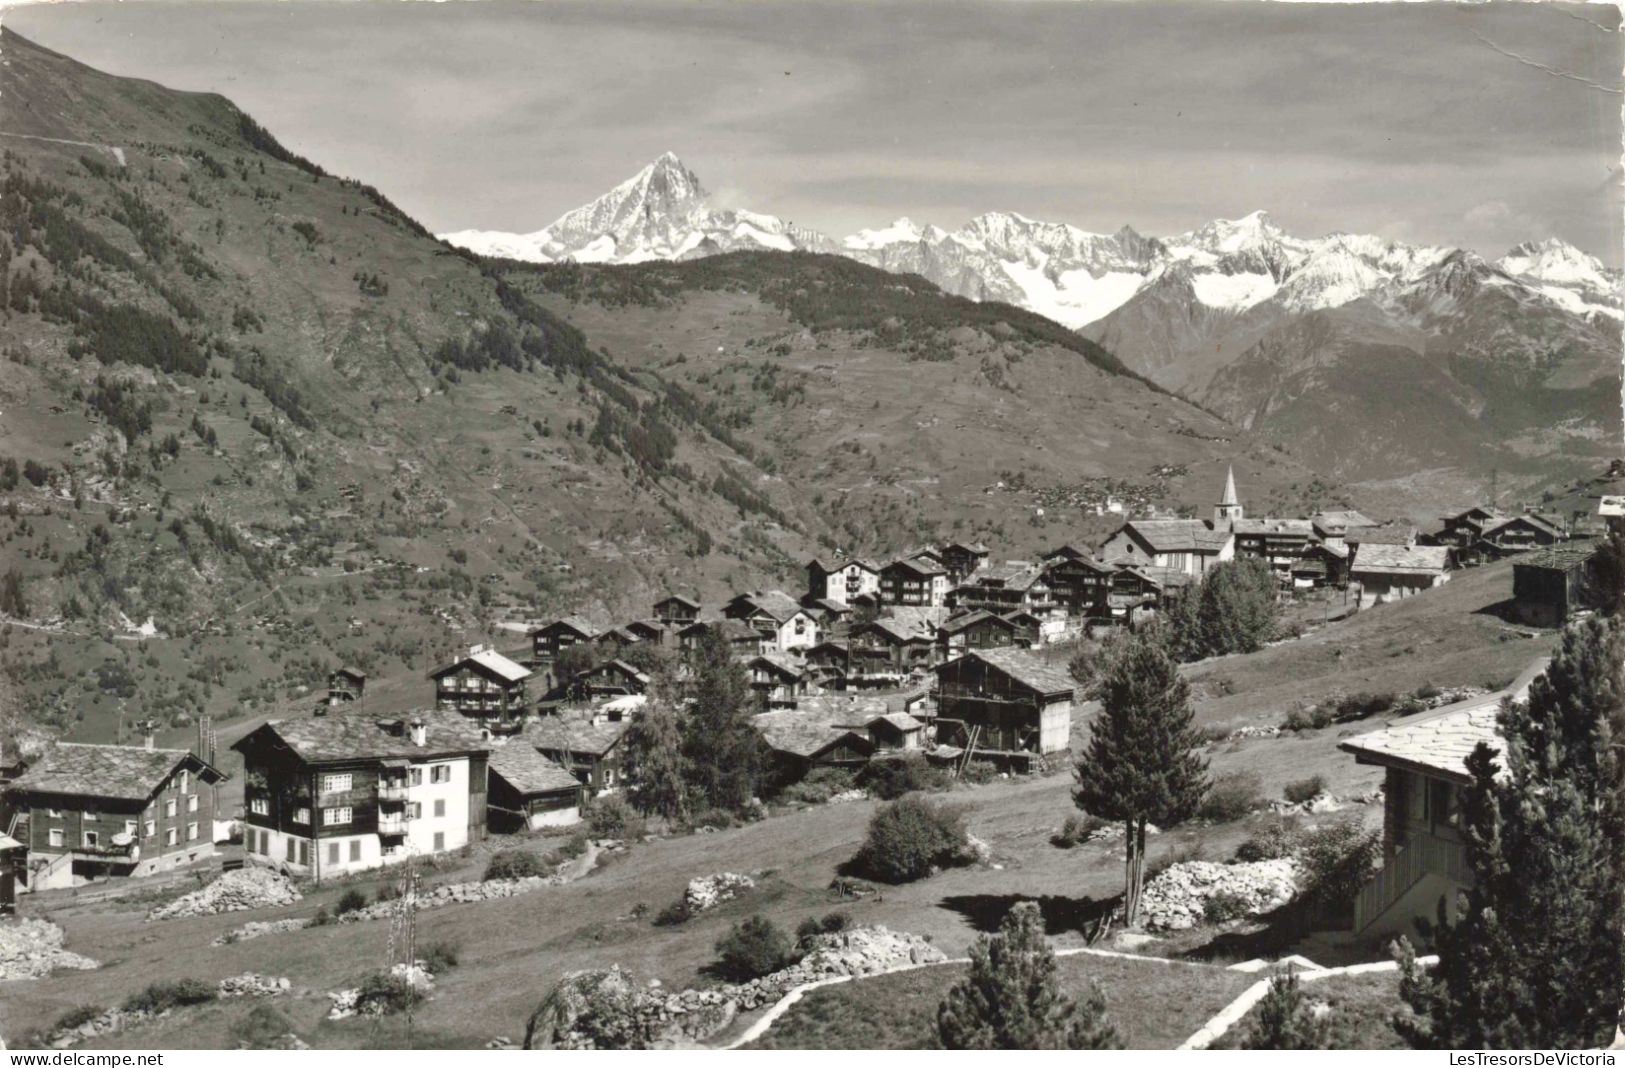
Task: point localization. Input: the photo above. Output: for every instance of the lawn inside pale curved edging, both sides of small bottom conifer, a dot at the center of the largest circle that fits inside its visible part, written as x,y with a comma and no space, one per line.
1155,1005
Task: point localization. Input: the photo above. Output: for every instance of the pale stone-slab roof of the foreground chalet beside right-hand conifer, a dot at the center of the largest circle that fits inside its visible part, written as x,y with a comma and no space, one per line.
1439,742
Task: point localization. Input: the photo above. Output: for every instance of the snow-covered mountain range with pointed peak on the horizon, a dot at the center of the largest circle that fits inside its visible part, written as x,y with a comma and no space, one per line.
1059,271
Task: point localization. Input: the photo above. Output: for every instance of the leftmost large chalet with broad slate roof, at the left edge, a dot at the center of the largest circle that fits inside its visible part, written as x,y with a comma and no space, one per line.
92,812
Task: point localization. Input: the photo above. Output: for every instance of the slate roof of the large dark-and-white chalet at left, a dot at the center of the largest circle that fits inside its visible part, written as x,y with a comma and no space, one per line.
358,737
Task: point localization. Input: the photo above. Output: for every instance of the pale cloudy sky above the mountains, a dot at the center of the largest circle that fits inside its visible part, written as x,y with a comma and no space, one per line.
1475,126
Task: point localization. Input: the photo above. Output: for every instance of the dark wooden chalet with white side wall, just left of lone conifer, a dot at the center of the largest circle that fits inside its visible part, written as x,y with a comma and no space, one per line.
1003,705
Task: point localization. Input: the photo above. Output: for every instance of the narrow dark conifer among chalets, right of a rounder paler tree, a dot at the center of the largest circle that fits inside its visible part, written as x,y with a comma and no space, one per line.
722,750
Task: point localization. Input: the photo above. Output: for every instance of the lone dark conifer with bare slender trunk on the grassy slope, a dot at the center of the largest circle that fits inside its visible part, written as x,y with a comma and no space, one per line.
1143,762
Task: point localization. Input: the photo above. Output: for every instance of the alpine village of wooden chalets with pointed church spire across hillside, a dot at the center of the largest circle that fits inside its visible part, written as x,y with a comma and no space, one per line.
940,661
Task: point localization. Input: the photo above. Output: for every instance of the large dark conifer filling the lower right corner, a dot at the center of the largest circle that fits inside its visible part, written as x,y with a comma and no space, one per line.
1538,957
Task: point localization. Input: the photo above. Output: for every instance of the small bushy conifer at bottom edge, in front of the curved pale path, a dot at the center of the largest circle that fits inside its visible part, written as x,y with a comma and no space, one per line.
1012,999
